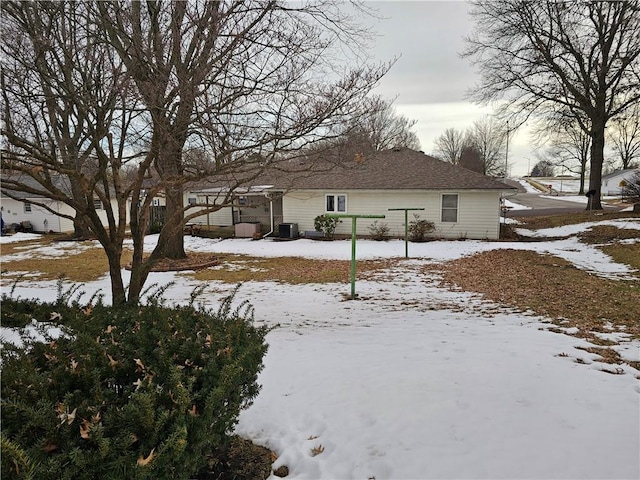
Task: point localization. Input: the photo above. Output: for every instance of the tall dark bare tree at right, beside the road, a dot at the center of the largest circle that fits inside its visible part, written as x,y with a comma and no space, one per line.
541,57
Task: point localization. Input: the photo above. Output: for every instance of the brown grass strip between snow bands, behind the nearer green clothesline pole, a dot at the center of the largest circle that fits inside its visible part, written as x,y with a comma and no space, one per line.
294,270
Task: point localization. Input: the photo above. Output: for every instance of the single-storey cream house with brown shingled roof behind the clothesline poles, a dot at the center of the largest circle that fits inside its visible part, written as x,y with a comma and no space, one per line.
461,203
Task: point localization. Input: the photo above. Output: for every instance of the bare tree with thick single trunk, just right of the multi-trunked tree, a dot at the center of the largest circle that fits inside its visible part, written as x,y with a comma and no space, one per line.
237,78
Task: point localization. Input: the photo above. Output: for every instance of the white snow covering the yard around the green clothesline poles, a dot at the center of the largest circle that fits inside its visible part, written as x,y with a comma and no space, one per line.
415,381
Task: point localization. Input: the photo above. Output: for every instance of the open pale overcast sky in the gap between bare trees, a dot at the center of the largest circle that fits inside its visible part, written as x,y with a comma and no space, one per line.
429,80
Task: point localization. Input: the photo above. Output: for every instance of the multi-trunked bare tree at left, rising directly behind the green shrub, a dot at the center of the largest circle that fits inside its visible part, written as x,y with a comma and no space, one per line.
69,128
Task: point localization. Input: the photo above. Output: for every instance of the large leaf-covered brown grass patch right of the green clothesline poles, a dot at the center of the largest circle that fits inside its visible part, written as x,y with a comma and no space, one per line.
549,286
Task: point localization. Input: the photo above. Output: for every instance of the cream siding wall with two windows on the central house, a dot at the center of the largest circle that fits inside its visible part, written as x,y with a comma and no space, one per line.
478,211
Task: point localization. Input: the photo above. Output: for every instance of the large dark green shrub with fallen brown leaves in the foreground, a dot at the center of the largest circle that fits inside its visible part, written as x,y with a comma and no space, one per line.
135,393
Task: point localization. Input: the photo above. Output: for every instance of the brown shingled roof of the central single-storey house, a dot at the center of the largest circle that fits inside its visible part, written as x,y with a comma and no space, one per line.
398,169
